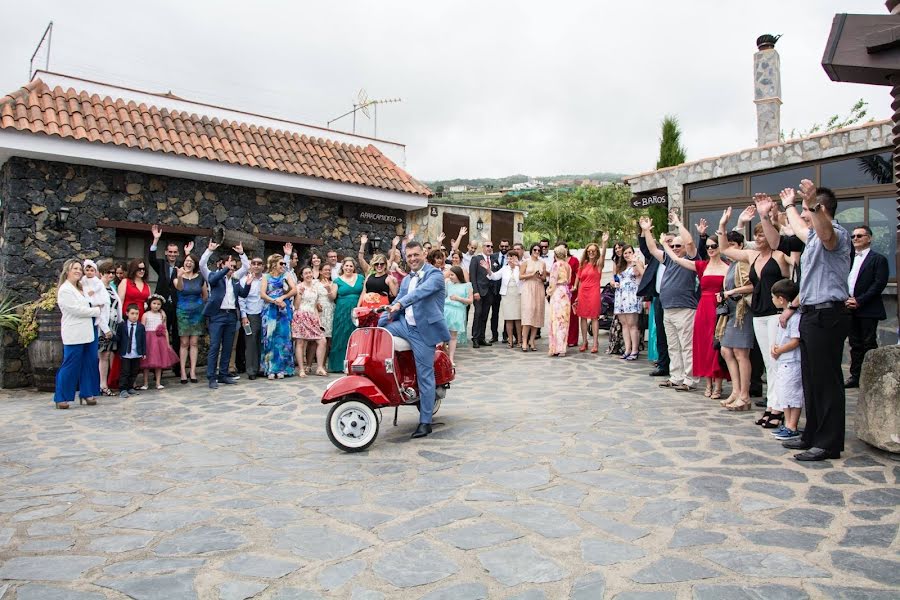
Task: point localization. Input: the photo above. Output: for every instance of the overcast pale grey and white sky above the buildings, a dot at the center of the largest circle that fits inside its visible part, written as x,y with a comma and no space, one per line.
489,88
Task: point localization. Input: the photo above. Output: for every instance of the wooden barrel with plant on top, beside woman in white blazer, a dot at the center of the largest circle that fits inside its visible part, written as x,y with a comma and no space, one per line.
39,332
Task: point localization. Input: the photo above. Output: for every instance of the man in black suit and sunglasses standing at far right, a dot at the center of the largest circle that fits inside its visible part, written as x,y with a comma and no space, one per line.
868,278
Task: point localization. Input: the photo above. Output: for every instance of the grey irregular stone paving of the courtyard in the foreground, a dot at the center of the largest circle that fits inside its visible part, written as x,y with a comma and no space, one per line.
546,478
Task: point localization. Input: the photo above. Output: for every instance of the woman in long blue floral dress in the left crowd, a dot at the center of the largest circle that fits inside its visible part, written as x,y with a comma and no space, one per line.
277,289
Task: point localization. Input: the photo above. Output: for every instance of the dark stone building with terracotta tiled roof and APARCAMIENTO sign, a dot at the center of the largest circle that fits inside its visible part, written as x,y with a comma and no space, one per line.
86,168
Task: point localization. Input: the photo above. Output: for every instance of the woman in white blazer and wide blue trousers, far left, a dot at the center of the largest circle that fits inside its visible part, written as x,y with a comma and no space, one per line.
80,366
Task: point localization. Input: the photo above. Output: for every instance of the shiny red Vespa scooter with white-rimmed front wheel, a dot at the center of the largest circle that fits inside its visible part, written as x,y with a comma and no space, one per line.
380,373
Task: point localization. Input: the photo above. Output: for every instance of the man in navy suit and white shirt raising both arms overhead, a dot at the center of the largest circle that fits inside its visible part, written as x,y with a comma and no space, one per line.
222,311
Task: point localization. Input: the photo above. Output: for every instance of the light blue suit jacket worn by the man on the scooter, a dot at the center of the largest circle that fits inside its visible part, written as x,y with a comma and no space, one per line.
427,300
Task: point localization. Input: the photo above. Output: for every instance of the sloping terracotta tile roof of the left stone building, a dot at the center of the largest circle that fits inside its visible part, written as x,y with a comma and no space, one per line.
35,108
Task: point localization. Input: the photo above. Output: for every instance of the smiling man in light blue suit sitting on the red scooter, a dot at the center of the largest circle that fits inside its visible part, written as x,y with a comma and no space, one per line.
420,308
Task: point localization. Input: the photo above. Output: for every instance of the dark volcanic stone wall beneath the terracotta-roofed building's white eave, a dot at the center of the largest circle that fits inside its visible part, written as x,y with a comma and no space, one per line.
33,247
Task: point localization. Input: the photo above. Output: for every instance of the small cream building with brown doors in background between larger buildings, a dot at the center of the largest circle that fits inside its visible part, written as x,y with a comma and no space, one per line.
483,223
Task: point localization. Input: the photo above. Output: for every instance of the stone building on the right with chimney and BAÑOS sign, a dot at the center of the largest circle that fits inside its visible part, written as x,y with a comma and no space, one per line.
855,162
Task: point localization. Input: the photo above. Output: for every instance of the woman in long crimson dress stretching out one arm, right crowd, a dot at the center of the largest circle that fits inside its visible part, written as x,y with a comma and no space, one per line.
712,277
